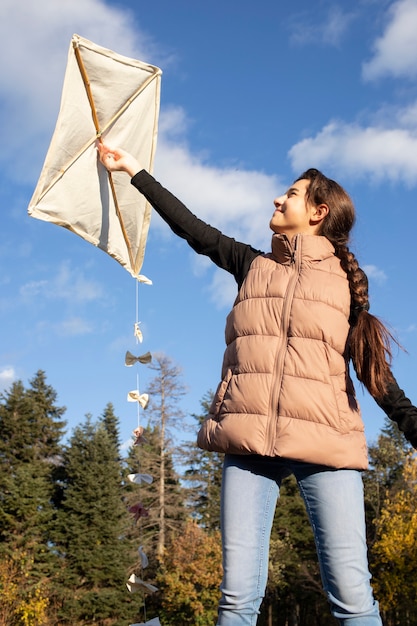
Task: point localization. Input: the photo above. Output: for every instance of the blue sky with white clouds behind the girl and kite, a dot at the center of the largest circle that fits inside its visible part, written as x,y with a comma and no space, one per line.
251,95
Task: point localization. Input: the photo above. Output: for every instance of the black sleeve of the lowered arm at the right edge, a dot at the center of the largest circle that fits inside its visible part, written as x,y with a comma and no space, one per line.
400,409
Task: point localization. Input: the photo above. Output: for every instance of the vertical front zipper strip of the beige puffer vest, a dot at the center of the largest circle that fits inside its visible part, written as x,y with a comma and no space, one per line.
295,263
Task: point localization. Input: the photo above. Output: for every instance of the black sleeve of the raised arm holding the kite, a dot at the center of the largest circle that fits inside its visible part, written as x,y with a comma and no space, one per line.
230,255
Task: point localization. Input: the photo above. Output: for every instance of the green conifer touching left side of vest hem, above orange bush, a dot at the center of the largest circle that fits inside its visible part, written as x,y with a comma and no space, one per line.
204,475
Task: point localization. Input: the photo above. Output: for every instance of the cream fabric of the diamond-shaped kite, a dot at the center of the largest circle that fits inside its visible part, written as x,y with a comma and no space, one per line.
105,95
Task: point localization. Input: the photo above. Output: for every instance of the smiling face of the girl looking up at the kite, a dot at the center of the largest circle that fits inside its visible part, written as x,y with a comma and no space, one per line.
292,215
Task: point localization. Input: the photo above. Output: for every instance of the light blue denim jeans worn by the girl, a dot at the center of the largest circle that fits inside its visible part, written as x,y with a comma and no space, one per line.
335,506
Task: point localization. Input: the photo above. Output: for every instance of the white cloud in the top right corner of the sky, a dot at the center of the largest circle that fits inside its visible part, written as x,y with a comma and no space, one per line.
395,52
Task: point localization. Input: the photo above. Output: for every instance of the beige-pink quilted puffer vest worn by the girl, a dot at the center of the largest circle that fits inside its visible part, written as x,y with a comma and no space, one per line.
285,388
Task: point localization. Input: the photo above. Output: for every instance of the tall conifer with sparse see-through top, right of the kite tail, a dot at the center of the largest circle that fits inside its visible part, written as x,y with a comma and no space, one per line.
159,505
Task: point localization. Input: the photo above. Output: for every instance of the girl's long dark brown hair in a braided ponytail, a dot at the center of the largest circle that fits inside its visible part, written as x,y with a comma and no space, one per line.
369,340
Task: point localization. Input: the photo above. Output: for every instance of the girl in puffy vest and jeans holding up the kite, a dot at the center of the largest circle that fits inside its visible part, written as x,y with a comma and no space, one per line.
286,403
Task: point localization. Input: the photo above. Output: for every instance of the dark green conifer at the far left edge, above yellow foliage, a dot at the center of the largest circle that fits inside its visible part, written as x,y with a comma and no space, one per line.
31,427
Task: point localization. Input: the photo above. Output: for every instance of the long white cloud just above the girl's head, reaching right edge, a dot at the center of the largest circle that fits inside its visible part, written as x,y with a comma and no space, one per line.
380,151
